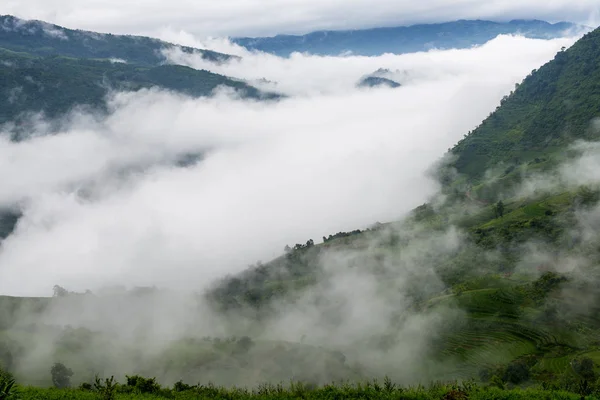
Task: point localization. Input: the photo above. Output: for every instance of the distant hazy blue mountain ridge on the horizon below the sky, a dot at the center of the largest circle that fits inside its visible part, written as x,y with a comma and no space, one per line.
403,39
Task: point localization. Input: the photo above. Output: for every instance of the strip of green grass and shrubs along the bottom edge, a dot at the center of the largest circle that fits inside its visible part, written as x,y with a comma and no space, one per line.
370,390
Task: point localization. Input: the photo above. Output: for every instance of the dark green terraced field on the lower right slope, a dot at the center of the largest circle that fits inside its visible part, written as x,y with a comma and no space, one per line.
497,331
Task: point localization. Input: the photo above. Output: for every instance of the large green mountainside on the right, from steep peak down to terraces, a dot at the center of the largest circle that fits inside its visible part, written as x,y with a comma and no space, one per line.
523,271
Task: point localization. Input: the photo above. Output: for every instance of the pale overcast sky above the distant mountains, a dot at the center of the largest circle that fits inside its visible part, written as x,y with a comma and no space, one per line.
268,17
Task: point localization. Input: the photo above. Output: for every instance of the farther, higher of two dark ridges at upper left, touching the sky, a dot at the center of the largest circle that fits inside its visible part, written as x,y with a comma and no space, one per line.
44,39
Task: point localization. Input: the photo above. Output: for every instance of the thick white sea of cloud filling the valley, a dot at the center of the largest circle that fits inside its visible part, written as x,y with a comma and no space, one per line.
330,158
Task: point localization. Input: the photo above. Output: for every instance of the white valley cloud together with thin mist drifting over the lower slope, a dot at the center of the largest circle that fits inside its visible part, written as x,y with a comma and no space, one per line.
108,207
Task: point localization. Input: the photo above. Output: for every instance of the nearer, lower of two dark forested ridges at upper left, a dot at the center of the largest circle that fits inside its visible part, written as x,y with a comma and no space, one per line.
56,84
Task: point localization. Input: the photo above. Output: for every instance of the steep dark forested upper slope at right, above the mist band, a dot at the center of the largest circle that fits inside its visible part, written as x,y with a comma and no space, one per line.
553,107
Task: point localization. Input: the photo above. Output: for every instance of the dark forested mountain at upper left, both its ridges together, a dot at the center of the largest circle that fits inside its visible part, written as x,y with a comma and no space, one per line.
50,69
